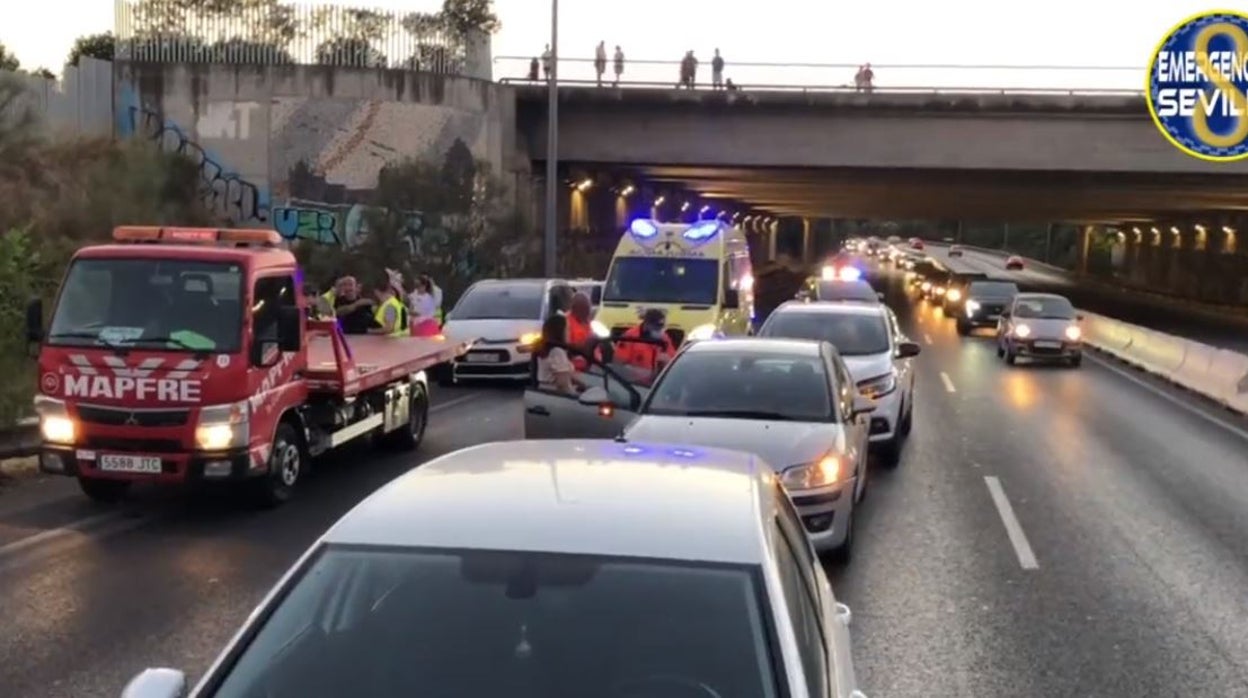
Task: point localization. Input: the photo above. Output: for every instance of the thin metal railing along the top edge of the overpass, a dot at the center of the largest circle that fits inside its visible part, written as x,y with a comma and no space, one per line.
839,78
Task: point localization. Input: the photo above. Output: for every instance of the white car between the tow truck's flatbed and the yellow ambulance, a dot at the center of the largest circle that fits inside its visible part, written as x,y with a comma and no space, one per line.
507,315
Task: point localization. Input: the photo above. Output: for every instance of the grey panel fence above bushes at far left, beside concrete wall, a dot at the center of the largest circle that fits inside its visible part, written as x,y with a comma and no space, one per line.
80,104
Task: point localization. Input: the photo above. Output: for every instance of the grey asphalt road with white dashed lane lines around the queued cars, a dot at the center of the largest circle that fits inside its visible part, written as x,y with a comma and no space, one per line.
1049,533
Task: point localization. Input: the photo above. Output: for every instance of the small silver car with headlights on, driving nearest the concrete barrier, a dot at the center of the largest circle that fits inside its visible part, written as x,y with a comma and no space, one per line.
1041,328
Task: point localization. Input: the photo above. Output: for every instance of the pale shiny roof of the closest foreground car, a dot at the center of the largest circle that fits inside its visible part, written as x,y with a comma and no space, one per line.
577,498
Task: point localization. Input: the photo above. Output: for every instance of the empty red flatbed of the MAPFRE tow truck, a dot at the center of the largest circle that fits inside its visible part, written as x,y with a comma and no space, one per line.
349,365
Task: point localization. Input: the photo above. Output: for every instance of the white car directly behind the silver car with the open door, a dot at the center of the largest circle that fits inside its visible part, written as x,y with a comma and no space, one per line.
870,342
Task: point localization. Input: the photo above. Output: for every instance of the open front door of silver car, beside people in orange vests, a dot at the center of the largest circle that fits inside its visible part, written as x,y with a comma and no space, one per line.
602,411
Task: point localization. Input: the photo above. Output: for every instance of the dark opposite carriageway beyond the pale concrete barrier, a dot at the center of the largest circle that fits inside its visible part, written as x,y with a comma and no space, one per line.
1191,322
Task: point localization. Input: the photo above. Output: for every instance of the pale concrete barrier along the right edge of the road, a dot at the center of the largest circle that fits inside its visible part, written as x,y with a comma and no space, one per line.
1219,375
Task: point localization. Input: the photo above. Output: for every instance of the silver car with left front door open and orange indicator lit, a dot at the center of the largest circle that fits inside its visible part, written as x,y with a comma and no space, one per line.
791,401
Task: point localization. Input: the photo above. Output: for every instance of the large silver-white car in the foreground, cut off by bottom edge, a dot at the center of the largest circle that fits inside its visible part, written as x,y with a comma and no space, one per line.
576,569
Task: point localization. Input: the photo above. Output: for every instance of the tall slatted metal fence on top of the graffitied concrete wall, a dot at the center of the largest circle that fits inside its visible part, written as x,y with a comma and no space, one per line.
264,33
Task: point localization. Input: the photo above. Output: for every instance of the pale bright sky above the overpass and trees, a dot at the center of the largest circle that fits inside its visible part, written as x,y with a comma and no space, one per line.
887,33
